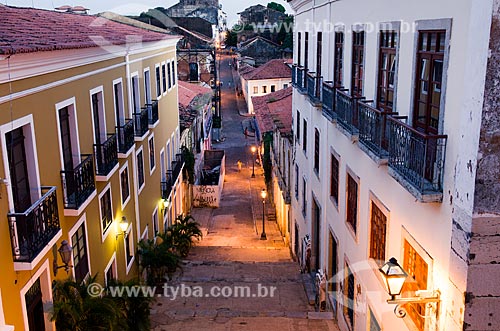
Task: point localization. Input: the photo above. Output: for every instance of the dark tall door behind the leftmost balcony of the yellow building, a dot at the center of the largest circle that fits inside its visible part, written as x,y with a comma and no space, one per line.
18,170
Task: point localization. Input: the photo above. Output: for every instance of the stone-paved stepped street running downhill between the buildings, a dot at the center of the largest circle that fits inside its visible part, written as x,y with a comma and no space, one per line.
231,254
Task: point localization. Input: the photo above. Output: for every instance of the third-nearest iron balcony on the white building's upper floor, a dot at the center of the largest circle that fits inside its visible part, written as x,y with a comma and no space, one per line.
346,110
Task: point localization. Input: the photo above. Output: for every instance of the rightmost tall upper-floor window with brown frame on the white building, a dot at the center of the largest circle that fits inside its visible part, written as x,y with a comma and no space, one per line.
430,57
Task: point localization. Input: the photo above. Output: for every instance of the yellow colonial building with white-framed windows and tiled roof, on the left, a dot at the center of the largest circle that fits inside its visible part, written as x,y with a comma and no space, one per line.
89,152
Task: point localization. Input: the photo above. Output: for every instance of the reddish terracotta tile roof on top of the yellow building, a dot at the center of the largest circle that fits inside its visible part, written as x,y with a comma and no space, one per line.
25,30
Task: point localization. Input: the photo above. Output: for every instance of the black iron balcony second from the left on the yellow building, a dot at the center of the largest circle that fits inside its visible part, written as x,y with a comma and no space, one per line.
78,184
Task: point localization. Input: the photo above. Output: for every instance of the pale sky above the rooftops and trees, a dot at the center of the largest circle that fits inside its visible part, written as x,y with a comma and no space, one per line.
231,7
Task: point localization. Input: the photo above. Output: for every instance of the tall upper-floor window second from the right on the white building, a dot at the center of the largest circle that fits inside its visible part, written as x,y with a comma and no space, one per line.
387,70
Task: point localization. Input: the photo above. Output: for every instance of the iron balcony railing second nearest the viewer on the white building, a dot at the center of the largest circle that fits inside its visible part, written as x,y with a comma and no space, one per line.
372,127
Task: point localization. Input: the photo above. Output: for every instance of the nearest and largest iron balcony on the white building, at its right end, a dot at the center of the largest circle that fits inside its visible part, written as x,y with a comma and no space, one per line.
416,160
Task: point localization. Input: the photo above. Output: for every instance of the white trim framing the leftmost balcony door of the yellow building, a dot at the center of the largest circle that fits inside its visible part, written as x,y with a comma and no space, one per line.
27,120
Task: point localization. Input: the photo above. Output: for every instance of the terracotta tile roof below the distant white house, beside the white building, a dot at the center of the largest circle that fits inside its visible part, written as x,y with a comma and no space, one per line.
274,110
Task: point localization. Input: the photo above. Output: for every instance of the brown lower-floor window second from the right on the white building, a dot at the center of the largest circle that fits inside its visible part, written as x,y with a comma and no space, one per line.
378,224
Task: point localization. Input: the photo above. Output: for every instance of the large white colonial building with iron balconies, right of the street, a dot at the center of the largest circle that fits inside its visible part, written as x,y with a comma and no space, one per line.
395,118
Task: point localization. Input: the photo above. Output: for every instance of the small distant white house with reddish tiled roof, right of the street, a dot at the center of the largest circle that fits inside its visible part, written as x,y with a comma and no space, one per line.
268,78
